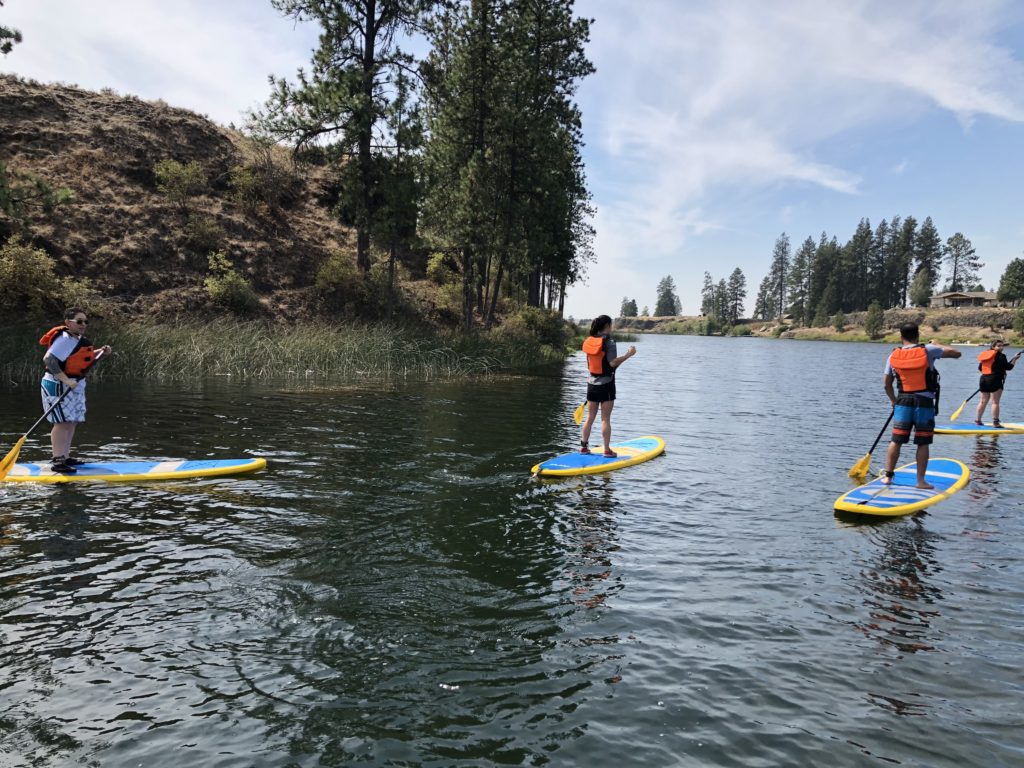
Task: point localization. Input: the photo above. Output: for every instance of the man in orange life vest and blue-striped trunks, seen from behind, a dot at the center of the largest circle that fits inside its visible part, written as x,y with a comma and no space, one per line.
913,368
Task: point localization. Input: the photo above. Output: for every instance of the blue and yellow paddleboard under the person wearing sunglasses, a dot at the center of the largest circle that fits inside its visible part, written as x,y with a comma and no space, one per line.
136,472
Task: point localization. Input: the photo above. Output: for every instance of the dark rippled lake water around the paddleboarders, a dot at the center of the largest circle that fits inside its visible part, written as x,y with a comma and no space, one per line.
395,590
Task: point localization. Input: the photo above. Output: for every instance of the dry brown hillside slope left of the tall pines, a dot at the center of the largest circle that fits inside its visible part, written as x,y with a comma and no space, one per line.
138,247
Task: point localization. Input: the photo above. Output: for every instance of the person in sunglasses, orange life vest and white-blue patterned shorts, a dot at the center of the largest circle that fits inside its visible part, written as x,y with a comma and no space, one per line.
68,358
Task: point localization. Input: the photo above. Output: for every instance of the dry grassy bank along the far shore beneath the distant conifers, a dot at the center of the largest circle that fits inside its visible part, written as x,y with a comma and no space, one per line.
966,326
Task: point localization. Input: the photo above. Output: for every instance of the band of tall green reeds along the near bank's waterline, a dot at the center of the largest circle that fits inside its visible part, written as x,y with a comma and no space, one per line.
251,350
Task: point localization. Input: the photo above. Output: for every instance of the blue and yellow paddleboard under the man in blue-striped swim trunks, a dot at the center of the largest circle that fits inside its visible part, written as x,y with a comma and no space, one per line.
903,497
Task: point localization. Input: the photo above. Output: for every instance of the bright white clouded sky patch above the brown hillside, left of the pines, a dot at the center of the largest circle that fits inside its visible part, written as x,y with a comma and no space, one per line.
210,58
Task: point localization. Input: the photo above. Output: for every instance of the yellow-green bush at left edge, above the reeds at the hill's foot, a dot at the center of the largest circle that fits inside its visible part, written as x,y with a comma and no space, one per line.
30,287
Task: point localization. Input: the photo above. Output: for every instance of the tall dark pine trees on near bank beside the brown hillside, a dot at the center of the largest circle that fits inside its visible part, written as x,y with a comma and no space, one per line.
472,152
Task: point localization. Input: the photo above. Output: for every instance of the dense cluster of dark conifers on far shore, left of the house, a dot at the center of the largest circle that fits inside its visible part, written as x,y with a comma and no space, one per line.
897,265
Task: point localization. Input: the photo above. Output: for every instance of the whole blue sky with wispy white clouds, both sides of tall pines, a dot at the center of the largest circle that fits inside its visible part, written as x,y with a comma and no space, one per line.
712,126
